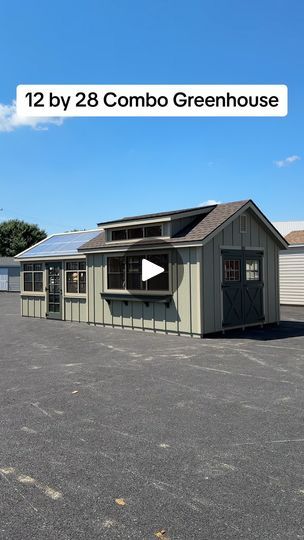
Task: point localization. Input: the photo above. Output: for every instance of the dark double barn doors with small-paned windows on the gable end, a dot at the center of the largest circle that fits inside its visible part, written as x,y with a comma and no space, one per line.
242,288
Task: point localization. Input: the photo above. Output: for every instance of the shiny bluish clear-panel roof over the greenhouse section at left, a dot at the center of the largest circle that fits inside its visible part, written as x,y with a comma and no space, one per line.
61,244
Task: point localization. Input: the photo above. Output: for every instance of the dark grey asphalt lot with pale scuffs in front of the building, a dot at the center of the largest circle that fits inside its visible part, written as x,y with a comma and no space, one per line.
201,438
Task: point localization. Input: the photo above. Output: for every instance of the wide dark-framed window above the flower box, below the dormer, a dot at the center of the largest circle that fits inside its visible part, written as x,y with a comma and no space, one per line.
124,273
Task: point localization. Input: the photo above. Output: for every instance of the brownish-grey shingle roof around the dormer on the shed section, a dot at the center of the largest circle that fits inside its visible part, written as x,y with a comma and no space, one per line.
203,226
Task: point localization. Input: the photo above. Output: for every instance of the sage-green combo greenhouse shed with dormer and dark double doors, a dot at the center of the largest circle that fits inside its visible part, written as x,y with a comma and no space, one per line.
219,270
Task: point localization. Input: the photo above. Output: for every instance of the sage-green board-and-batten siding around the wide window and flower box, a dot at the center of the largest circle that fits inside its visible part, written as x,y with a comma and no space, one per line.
181,316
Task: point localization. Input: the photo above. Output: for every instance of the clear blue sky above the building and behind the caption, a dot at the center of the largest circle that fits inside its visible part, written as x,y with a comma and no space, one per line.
89,170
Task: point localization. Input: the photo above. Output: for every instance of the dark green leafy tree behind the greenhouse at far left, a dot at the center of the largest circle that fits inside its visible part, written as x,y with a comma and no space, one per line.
17,235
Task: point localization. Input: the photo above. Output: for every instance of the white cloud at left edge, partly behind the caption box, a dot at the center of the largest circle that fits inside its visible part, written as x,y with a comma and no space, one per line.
9,120
